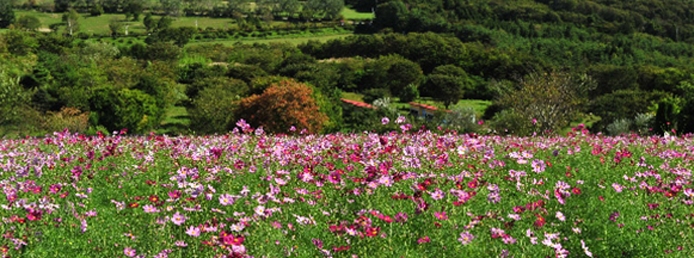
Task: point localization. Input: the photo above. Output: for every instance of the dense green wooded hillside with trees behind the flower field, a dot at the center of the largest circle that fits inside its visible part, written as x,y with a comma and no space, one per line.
618,66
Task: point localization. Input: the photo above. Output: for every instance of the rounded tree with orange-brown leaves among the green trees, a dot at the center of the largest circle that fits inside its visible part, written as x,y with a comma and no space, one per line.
283,105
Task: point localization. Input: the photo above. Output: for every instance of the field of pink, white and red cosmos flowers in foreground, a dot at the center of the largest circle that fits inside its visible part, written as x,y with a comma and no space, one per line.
402,194
